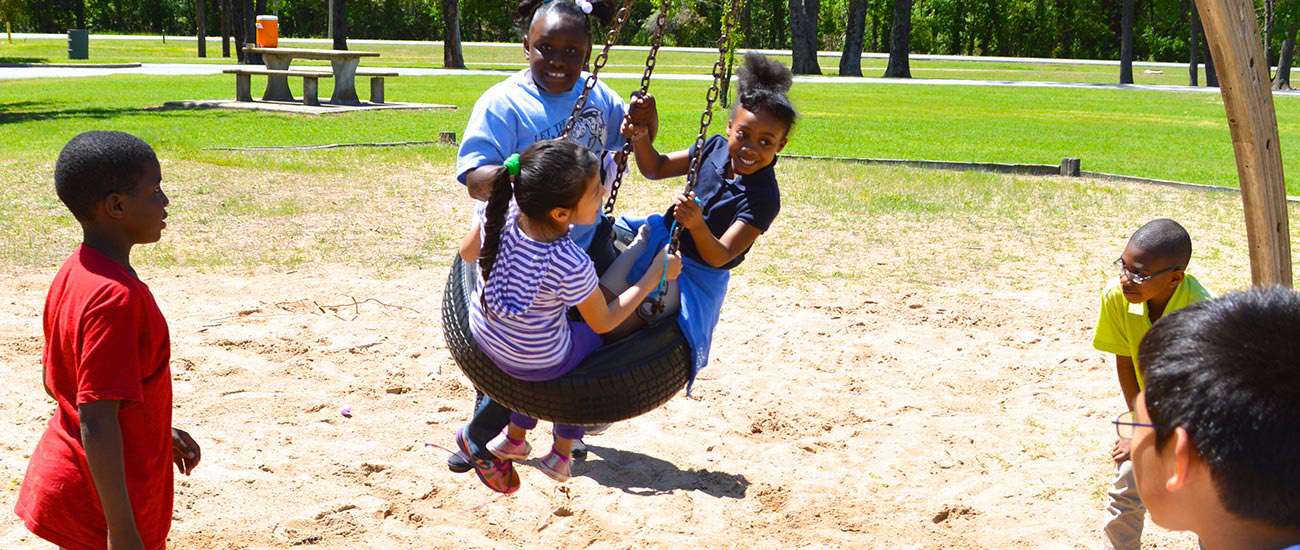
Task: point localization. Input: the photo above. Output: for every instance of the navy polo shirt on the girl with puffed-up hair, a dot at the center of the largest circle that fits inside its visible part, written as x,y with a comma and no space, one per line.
753,200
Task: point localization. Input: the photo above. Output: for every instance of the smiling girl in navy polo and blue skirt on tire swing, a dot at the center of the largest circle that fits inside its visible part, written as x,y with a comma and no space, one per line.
736,200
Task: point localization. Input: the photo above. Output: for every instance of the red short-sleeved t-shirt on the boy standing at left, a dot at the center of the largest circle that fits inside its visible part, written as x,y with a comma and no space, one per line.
106,339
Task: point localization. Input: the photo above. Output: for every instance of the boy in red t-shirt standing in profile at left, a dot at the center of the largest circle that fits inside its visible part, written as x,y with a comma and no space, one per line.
102,474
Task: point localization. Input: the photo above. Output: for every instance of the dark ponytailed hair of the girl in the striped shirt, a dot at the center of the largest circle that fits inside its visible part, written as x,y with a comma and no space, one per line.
552,175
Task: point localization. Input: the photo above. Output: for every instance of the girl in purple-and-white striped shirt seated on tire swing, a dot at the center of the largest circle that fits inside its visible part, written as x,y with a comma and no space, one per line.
532,274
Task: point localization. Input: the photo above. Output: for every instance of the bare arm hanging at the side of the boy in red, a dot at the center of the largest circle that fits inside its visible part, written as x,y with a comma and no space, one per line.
102,438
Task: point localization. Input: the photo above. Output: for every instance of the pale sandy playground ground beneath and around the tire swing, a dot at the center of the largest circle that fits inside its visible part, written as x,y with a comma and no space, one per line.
912,380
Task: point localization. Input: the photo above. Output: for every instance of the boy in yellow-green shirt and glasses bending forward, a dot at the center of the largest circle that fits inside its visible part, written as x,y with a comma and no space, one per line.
1152,283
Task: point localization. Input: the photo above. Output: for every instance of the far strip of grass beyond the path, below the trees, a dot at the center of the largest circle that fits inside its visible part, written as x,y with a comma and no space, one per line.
625,62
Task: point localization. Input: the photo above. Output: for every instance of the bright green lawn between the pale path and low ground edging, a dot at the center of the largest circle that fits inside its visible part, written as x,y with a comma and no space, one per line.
1151,135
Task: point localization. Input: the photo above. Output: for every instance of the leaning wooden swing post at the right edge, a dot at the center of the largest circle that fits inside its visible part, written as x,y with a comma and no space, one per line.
1243,73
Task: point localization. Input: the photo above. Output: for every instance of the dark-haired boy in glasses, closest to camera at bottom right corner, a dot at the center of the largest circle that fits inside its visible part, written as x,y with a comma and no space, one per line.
1216,444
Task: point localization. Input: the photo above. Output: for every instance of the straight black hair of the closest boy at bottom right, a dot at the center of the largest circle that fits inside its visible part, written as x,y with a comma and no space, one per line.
1228,371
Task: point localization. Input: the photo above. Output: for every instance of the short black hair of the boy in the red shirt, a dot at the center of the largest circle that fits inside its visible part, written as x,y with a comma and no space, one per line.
97,164
